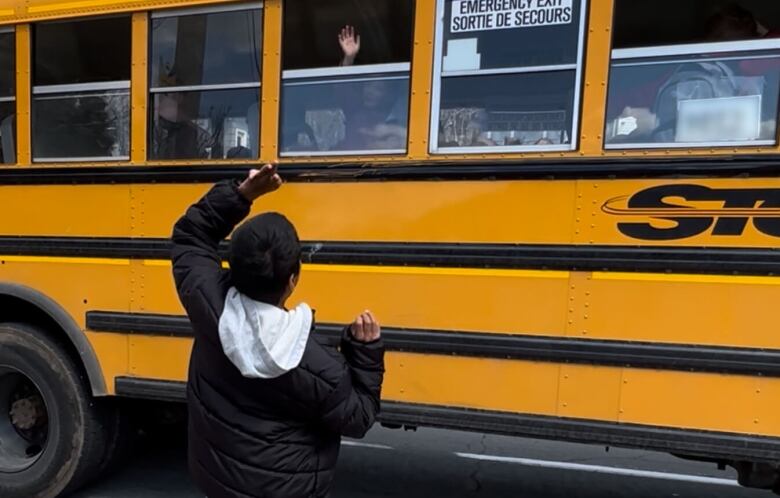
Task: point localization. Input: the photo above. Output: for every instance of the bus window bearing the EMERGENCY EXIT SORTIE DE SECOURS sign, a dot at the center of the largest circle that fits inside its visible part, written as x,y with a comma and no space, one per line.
508,75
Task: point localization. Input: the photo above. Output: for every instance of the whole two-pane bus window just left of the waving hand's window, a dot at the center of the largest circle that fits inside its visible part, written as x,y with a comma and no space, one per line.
205,83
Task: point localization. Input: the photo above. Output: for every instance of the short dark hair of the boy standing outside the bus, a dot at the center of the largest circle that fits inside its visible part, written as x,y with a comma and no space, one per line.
264,253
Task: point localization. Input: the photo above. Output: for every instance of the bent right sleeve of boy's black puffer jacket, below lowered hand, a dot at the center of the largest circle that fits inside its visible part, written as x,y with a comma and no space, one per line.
353,405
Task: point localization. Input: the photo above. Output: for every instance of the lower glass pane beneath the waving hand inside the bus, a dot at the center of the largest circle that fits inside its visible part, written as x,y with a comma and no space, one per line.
367,114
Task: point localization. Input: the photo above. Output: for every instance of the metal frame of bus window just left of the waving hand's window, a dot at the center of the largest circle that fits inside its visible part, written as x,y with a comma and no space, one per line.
258,85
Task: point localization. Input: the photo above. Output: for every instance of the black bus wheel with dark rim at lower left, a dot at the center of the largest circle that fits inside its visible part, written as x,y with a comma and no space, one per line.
52,431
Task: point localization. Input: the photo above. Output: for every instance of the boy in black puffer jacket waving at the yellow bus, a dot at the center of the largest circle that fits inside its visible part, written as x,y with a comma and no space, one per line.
268,400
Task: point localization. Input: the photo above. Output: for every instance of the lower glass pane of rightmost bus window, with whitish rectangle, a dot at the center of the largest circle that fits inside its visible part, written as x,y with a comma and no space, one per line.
695,100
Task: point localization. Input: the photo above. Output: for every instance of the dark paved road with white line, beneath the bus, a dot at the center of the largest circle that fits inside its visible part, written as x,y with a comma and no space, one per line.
434,463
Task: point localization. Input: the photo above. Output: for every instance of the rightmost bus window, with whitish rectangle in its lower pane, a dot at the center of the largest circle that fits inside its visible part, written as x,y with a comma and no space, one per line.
707,76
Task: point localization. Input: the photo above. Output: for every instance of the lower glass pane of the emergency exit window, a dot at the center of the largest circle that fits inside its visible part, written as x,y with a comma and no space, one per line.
507,110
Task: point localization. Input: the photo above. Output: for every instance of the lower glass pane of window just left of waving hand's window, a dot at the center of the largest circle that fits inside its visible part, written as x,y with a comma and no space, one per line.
216,124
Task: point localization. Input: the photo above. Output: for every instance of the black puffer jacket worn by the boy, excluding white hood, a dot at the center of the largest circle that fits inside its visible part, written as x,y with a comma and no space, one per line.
253,437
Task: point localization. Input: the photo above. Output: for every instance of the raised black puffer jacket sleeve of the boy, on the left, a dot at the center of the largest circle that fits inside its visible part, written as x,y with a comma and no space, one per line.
197,266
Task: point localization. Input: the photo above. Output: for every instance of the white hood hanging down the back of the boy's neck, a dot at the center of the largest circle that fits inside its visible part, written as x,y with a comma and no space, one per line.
261,340
